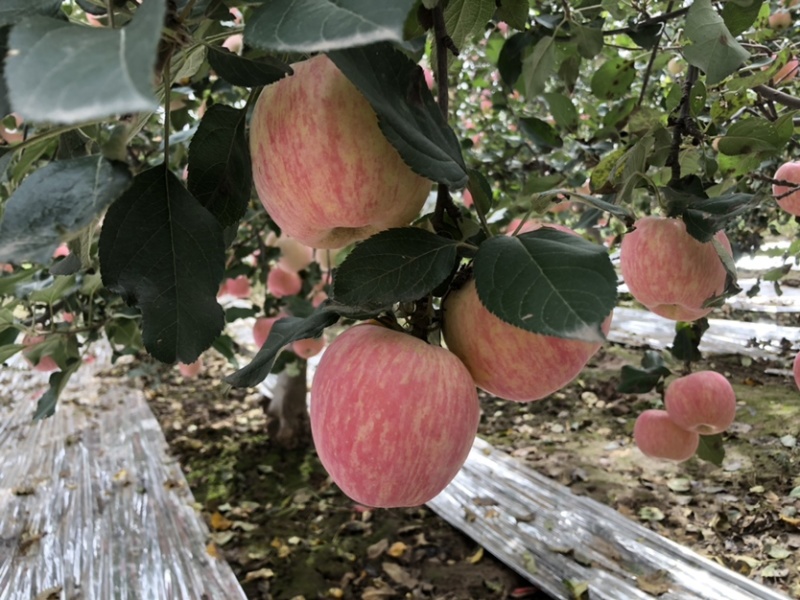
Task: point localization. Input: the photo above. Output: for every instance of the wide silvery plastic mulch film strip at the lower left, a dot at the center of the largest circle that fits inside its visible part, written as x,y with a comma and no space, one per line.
91,505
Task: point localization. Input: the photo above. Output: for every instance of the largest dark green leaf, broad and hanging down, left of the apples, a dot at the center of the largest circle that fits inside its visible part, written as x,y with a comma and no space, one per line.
163,251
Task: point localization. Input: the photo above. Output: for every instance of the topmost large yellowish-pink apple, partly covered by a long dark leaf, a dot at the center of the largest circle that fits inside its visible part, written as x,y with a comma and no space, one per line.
321,166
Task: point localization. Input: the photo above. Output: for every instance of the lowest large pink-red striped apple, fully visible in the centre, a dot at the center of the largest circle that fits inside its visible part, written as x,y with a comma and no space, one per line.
392,417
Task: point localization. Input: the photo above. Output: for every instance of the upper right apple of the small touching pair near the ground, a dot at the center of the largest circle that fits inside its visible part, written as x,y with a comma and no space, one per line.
703,402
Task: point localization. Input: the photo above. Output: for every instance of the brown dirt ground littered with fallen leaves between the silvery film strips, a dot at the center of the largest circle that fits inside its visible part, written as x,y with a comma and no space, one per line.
290,534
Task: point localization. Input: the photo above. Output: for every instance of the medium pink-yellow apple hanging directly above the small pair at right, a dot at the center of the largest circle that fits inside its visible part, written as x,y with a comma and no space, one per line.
669,271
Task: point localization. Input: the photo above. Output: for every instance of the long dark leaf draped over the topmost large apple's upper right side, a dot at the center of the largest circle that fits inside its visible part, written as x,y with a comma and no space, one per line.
407,113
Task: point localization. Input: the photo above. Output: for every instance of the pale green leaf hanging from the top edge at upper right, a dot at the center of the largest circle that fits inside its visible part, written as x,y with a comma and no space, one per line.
713,49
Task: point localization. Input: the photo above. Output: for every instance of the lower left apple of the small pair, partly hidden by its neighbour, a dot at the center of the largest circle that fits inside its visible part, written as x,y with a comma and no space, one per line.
658,437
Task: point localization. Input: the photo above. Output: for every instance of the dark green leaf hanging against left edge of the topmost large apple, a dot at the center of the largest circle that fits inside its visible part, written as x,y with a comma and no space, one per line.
220,174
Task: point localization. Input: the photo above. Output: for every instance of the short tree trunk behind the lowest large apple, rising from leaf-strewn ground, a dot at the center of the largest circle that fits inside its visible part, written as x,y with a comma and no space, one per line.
287,413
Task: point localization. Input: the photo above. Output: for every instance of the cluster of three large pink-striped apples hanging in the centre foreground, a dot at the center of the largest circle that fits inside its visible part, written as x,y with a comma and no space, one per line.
393,418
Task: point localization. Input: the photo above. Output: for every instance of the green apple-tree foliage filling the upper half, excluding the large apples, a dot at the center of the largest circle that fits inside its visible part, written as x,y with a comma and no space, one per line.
588,114
